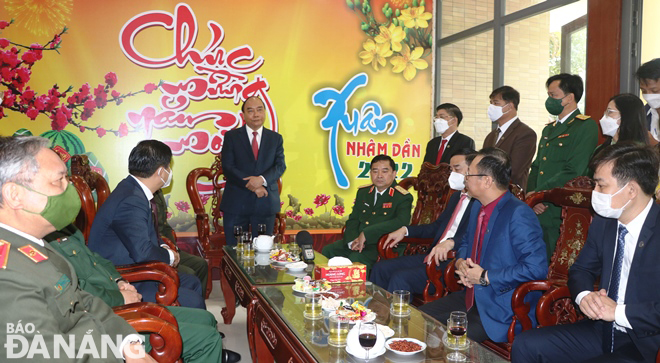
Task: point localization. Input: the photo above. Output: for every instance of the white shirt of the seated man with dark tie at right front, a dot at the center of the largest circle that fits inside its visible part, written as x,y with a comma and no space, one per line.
634,229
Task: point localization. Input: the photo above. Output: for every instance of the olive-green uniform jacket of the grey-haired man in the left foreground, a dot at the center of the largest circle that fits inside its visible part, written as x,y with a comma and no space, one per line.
38,286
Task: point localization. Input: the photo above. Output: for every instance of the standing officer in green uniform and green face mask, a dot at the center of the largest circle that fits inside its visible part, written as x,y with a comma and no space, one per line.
565,148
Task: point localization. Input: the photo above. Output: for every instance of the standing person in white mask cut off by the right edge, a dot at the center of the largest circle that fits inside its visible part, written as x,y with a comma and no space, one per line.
648,75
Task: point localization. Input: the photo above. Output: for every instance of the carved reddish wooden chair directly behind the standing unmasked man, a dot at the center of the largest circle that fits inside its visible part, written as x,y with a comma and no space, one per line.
212,242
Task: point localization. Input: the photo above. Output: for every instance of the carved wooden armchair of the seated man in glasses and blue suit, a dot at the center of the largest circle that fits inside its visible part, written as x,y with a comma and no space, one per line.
555,305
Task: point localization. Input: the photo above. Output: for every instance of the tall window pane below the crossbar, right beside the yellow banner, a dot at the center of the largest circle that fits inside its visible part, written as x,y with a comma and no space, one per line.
466,80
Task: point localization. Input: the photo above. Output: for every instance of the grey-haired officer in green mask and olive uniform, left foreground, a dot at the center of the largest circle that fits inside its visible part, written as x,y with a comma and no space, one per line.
37,285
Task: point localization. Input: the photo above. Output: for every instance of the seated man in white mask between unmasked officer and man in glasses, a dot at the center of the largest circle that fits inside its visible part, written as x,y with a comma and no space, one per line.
409,272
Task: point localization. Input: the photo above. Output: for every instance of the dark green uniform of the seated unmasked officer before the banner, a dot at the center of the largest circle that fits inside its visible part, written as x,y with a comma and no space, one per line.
390,212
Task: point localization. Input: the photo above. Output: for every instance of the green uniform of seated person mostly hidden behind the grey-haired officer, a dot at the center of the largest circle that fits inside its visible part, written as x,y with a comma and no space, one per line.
98,276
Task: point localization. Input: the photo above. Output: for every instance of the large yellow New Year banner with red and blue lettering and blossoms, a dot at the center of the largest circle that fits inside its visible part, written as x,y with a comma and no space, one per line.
342,82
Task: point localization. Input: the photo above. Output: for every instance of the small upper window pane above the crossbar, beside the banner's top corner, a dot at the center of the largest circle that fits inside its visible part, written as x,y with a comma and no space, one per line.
459,15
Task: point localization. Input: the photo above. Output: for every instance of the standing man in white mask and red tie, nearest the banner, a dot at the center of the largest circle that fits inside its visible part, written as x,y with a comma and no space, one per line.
440,149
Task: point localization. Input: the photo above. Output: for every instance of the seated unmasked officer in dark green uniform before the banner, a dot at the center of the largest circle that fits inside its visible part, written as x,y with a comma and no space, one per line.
380,208
